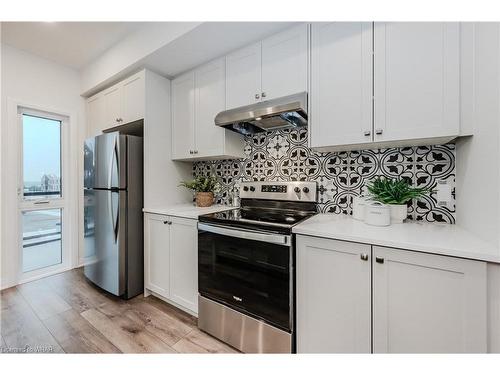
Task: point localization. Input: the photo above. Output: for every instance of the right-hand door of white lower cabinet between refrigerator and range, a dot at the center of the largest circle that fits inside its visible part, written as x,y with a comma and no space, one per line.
184,263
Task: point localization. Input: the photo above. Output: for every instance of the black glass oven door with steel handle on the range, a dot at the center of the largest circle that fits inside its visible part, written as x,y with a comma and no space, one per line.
248,270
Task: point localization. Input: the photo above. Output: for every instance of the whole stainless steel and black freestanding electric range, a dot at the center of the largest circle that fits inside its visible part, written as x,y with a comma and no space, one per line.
246,276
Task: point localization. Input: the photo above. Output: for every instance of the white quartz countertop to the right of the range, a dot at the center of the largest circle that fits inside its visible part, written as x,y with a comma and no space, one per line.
443,239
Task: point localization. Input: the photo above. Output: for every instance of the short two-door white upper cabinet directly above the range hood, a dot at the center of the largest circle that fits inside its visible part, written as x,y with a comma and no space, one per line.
275,67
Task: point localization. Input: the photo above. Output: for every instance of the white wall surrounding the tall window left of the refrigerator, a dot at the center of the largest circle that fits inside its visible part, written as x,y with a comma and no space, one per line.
34,81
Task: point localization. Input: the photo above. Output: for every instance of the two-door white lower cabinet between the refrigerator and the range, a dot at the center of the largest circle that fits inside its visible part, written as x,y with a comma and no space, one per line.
171,260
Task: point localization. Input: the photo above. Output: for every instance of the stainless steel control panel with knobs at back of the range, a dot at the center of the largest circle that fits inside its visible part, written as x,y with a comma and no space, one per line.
288,191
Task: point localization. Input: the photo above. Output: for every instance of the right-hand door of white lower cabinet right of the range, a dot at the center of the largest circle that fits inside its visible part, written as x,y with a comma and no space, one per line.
424,303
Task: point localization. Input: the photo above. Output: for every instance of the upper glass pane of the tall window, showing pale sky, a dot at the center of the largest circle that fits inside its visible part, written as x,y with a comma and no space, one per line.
41,157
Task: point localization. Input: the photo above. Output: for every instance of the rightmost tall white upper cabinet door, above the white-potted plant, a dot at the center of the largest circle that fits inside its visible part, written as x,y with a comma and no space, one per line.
416,78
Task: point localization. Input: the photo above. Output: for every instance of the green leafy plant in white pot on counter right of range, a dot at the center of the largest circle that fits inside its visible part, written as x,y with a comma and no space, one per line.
395,193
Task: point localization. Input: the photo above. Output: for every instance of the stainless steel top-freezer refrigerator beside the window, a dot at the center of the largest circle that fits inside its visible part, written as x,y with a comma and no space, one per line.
113,219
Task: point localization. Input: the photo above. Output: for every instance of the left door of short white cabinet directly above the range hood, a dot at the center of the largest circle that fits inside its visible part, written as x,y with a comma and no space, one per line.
243,76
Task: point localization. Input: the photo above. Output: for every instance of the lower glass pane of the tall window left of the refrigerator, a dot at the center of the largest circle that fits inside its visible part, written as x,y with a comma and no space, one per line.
42,245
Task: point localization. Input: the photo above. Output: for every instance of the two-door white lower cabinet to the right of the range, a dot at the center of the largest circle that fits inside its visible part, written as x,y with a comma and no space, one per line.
410,302
